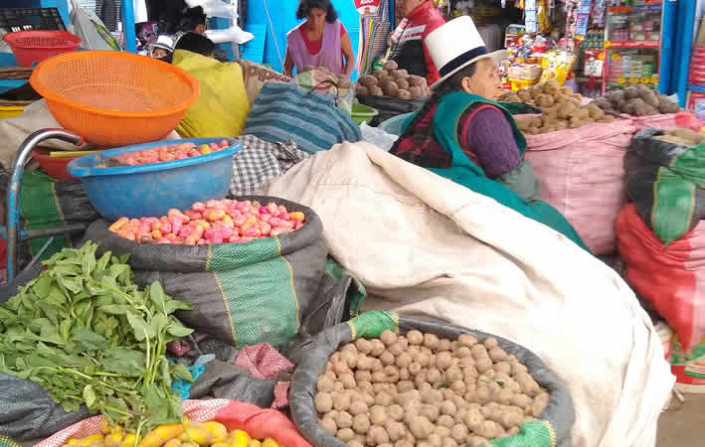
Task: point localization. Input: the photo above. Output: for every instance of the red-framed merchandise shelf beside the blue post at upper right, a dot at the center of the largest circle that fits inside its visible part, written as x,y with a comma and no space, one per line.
633,44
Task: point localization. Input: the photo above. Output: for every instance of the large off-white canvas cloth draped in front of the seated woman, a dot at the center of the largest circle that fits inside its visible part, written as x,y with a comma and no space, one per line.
422,244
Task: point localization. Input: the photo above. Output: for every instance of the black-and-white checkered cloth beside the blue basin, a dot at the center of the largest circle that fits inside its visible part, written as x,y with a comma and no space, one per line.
259,162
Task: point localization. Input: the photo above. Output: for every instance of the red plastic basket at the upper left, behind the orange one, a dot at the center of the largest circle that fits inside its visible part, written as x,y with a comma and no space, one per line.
35,46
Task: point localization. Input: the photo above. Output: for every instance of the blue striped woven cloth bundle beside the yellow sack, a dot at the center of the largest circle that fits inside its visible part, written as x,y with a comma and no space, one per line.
283,112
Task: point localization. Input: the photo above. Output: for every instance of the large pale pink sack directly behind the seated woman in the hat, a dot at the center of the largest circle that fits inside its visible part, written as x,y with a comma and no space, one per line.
581,173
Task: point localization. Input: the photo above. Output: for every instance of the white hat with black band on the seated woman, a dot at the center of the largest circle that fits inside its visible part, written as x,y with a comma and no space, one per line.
457,44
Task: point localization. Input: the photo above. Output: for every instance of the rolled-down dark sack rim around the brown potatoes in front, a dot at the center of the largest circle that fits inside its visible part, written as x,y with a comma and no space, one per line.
551,429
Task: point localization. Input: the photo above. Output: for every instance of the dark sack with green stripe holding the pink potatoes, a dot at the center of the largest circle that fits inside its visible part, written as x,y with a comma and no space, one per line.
243,294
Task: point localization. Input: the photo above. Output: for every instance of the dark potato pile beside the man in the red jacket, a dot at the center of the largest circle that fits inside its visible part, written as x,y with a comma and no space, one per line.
390,81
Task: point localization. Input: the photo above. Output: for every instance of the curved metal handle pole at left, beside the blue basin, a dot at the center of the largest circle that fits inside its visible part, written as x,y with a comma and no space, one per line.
13,191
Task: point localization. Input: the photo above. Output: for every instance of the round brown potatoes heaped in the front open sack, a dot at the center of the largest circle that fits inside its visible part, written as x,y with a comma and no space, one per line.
420,390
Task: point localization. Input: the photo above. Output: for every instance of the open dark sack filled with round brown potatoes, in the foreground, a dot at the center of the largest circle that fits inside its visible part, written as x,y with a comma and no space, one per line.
425,384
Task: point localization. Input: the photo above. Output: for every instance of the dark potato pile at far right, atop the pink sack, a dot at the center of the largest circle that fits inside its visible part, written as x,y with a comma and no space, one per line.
636,101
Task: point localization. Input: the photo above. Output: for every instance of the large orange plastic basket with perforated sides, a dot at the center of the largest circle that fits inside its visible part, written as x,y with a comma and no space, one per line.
114,99
